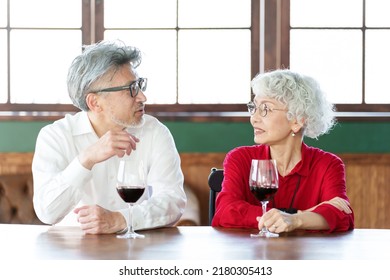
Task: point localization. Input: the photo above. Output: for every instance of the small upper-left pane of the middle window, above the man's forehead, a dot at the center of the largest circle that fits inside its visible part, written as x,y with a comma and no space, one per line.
140,14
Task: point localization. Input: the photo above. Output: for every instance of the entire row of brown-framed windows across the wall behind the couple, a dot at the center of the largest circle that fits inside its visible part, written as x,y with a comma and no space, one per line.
199,55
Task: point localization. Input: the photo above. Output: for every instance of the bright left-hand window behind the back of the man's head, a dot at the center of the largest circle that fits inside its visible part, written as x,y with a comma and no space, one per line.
37,50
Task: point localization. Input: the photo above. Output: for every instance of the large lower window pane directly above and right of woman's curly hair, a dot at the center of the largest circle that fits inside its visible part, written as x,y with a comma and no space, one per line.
333,57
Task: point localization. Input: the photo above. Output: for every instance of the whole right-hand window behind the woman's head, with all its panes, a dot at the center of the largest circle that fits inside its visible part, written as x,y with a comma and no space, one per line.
344,44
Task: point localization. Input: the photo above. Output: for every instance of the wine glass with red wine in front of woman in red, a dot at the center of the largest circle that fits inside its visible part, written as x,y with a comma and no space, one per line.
263,183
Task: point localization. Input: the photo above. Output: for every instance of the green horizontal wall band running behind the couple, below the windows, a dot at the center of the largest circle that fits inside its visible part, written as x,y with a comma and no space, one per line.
347,137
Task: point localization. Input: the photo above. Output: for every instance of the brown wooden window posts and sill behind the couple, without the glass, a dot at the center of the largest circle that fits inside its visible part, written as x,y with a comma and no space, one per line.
270,19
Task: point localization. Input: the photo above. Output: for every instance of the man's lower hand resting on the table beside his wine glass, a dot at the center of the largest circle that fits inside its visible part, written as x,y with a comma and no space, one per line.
94,219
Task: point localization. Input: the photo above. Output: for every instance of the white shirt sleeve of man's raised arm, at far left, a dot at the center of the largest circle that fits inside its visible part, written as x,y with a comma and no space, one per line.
58,180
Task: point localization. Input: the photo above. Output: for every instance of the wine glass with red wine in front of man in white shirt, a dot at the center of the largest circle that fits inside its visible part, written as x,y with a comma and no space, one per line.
130,186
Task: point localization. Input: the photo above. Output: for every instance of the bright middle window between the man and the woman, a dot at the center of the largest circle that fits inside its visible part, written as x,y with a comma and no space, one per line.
191,49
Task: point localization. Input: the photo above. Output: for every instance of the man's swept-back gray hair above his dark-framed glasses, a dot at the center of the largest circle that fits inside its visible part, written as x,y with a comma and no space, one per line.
94,63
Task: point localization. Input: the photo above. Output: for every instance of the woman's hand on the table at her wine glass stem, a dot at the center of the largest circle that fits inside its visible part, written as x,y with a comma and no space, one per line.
278,221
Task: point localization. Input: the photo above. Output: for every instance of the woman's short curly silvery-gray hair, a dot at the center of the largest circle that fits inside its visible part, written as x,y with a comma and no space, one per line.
302,95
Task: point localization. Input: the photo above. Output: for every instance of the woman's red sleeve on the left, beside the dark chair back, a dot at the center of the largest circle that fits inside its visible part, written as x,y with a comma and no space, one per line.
235,204
